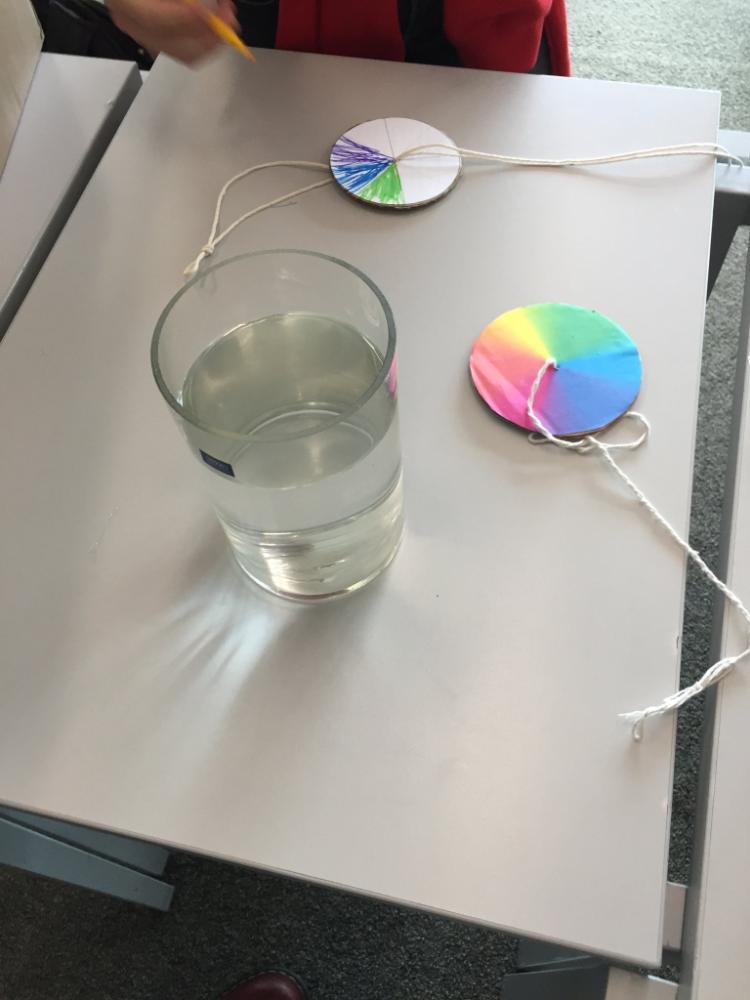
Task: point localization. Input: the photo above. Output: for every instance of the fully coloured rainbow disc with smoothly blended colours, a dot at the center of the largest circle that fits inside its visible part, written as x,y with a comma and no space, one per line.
596,380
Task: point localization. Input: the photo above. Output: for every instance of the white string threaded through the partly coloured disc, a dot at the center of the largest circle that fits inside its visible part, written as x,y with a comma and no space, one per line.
437,149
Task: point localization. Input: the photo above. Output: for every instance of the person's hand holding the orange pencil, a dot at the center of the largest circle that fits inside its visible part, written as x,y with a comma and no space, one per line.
170,26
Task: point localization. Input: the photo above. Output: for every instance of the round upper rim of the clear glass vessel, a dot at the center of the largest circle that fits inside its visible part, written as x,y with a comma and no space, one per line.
370,391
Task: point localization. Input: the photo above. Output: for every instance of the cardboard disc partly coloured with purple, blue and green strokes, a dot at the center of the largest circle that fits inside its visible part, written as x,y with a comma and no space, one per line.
363,162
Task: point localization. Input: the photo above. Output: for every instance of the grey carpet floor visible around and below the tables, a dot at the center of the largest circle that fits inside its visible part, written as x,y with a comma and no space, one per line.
70,944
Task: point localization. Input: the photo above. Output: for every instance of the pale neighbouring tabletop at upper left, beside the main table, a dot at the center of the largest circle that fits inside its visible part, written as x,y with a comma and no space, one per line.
72,110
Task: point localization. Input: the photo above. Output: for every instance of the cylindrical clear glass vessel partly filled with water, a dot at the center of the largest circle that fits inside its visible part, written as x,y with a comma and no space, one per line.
280,368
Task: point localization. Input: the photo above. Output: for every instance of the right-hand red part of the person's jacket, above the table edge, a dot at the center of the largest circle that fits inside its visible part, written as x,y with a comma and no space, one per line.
505,34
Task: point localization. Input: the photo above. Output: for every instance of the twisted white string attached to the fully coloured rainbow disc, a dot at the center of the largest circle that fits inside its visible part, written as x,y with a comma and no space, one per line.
719,669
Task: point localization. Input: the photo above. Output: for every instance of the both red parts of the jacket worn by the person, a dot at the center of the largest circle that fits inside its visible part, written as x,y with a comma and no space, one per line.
487,34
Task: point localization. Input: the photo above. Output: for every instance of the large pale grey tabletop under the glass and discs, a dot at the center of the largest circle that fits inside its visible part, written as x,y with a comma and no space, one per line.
447,738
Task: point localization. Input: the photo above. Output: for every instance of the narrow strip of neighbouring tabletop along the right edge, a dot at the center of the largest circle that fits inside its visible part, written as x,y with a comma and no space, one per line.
719,911
